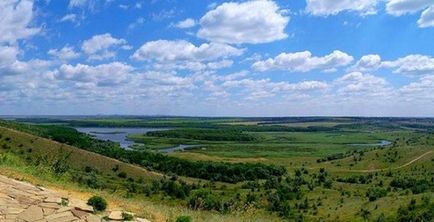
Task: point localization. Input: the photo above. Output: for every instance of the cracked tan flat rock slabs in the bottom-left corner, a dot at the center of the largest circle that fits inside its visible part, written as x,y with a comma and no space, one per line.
23,202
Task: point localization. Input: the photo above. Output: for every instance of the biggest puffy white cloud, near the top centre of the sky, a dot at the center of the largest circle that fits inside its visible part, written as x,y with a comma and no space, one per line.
246,22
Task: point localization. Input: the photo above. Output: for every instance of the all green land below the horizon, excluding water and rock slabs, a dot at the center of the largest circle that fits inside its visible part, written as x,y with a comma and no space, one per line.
243,169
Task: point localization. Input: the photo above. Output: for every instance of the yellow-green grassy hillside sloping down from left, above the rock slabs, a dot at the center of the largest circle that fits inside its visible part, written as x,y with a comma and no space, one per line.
81,173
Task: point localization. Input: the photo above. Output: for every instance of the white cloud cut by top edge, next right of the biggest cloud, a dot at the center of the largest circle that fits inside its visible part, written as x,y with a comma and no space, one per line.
333,7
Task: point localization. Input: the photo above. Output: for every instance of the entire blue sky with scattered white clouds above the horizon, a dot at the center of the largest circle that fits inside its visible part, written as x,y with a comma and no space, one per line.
217,58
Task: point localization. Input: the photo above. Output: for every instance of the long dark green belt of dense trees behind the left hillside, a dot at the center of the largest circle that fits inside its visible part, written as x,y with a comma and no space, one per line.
205,170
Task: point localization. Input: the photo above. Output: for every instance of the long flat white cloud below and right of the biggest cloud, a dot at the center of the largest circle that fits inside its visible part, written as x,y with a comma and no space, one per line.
304,62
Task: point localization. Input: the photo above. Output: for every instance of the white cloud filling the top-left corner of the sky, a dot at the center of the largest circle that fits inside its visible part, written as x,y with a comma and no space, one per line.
16,17
